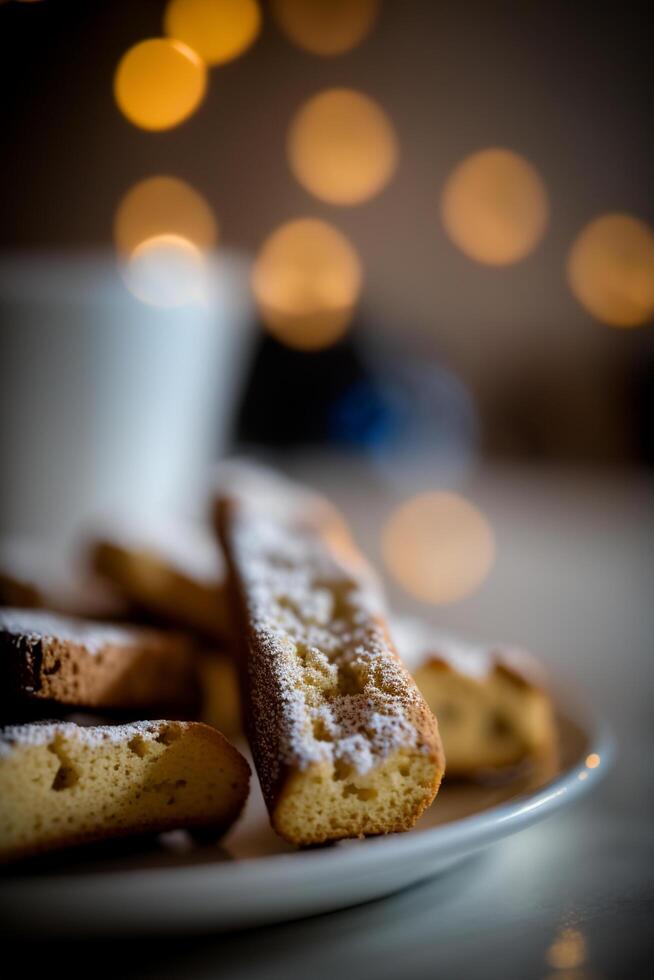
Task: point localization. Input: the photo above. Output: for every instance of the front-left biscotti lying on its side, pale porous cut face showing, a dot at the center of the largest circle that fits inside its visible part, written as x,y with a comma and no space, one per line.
63,784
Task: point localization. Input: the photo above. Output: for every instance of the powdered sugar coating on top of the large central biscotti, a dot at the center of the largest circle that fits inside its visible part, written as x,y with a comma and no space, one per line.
343,696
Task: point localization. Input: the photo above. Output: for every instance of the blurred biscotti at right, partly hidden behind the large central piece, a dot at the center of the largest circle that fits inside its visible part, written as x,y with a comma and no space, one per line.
492,706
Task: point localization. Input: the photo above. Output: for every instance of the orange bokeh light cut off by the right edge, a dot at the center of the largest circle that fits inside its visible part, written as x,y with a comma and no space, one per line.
611,270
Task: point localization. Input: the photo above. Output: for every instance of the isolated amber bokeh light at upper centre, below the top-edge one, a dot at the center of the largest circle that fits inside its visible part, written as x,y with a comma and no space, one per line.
341,147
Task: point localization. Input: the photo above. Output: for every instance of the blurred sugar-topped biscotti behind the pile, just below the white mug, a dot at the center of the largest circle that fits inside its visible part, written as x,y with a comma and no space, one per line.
172,571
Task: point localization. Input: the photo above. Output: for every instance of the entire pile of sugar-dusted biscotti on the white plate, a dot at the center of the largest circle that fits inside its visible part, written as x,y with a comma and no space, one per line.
273,621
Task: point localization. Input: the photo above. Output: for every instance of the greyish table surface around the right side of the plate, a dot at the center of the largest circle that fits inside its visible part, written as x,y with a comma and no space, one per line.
570,898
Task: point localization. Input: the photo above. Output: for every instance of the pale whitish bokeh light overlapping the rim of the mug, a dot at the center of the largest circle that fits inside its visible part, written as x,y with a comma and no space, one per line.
167,271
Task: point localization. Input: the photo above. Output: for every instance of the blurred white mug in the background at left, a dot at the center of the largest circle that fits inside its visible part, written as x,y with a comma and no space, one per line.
108,404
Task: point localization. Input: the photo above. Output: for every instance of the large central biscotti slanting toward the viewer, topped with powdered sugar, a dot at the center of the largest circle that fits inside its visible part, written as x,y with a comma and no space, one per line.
344,743
